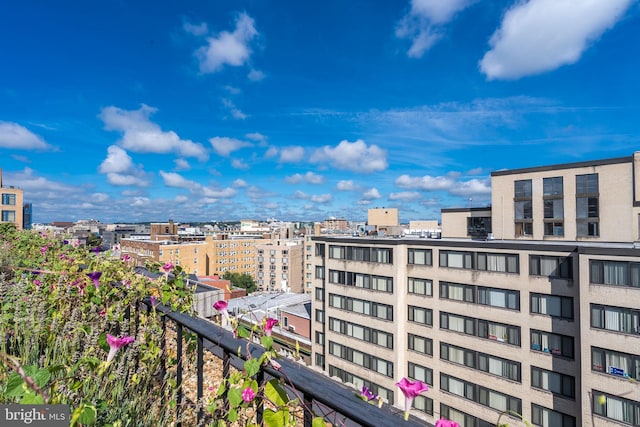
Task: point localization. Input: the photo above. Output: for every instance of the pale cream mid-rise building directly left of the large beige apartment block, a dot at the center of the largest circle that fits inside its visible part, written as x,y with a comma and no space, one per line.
279,266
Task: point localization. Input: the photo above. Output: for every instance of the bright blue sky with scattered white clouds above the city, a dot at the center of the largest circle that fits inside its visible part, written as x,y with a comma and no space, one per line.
202,110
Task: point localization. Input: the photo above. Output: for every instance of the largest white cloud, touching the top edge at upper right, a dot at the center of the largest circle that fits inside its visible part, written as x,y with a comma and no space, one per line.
542,35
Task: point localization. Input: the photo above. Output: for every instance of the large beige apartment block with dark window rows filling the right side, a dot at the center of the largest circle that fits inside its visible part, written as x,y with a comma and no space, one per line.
542,320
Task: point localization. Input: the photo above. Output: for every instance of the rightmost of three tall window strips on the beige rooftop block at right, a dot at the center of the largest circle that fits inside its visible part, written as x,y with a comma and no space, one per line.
587,205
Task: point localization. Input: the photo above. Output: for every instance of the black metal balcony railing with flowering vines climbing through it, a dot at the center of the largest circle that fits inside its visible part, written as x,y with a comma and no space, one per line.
320,395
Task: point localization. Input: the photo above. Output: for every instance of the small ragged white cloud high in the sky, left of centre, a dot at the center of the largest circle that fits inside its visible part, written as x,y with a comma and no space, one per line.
228,48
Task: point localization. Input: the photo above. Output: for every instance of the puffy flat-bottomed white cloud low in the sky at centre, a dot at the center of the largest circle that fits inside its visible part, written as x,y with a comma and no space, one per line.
353,156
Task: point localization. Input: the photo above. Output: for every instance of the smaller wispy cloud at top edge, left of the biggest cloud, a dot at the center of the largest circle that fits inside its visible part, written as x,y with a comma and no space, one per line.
425,21
